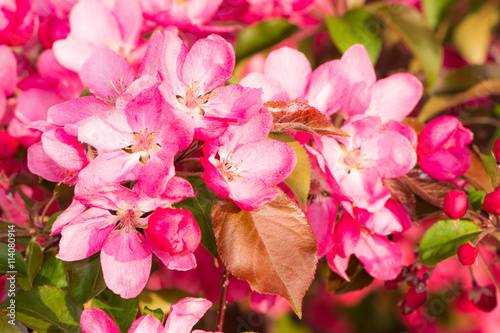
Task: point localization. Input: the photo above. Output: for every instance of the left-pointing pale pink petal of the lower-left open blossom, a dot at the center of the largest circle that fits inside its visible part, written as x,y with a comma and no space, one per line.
86,234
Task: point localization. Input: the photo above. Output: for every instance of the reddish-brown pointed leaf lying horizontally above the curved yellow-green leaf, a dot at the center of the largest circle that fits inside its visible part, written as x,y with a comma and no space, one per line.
301,117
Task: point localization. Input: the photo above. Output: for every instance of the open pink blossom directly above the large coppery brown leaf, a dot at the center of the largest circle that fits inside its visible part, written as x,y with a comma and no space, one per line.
243,166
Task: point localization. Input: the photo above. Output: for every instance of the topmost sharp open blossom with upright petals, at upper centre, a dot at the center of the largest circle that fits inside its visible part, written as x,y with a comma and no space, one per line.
193,83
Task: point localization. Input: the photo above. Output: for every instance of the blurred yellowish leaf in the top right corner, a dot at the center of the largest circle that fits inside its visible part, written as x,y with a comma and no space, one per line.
473,34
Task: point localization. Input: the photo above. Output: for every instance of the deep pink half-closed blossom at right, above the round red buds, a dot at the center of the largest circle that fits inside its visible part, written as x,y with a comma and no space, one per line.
442,151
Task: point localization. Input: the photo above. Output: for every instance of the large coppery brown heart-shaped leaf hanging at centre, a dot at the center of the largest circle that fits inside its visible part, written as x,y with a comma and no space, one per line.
273,247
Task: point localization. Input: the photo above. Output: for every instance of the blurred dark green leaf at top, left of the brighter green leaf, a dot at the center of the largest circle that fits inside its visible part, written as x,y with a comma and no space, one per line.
261,36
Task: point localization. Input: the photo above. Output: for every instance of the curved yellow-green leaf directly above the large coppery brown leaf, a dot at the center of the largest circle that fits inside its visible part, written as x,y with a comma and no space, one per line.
299,180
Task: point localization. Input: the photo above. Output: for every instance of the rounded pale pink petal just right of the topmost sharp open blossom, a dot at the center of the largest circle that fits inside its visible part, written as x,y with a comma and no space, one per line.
290,68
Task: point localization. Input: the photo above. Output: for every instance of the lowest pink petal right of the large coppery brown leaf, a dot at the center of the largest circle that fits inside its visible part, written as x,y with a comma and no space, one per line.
382,258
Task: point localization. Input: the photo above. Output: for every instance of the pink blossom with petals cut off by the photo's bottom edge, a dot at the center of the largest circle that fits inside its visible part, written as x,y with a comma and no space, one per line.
182,317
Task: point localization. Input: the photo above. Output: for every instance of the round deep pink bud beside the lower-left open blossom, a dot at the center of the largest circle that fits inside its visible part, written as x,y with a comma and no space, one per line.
173,230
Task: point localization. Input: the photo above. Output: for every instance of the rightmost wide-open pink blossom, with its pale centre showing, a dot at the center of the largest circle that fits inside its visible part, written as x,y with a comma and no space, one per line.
360,162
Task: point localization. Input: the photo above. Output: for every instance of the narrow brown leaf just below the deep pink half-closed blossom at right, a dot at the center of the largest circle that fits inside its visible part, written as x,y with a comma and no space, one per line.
431,190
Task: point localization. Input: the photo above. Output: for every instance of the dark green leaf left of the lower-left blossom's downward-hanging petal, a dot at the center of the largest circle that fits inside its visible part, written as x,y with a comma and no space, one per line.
85,279
